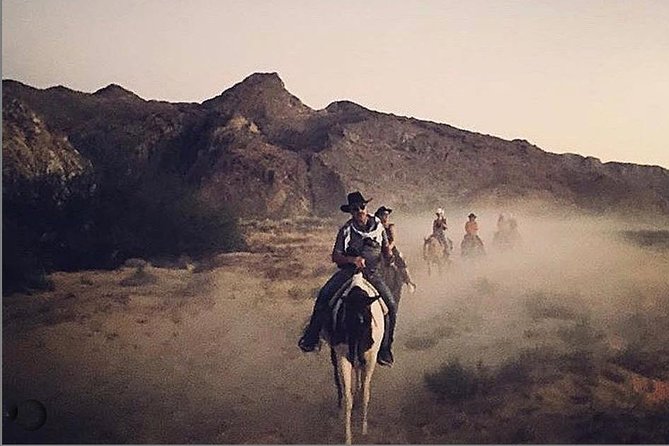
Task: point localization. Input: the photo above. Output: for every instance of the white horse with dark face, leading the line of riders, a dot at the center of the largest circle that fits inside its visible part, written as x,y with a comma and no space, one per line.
355,338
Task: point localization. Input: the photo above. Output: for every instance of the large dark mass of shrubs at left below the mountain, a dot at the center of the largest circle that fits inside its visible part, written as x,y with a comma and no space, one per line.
98,221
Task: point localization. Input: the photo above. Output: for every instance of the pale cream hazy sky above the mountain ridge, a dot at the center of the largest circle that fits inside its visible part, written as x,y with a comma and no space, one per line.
580,76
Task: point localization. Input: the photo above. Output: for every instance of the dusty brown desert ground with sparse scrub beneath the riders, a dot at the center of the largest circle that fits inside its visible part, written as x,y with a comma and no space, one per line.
561,340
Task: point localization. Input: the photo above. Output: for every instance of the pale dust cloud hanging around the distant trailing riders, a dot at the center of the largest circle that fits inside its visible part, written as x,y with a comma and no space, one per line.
582,264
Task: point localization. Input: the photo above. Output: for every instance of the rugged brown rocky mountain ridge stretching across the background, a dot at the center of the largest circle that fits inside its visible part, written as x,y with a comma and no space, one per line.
258,149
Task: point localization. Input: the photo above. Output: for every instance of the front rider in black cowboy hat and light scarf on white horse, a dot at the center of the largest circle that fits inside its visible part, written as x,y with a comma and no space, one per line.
360,245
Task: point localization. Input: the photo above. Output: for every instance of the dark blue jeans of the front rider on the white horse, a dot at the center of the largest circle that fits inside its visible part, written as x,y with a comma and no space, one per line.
321,309
